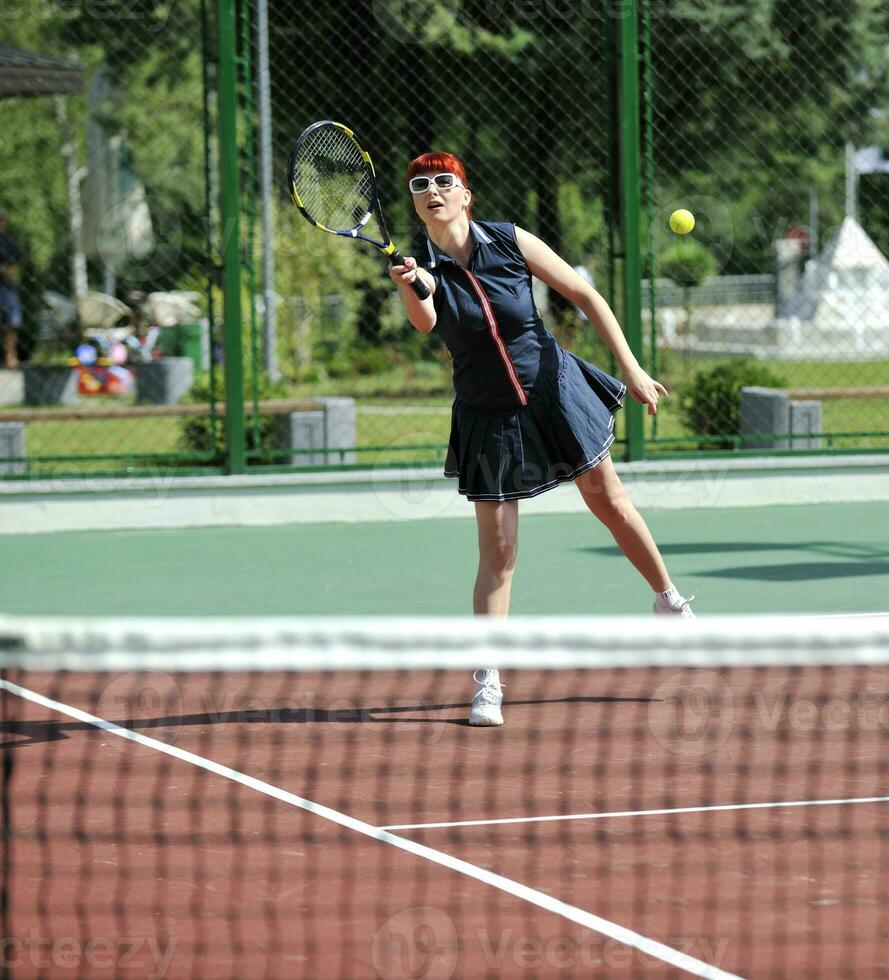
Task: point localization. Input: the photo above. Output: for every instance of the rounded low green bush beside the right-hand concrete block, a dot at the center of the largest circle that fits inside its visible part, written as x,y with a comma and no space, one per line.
711,406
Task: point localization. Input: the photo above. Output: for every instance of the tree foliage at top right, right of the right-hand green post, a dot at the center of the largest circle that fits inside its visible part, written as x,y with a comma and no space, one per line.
776,90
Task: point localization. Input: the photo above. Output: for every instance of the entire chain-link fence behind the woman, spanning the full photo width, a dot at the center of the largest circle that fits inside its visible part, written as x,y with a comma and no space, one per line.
769,121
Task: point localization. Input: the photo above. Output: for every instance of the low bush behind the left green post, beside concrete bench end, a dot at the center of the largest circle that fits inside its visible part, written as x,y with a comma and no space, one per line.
198,435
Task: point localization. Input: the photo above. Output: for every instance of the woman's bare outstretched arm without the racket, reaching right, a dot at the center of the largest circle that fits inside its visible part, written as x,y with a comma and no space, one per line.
557,274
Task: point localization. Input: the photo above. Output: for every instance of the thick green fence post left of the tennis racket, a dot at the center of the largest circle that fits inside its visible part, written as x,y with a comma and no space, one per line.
231,258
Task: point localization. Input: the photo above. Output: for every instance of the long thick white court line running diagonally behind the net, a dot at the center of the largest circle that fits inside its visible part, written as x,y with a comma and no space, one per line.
650,947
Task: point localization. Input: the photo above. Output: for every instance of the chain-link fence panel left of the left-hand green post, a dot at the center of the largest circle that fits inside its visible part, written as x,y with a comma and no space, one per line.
104,110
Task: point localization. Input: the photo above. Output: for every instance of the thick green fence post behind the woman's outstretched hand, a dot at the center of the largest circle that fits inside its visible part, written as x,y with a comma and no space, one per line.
631,210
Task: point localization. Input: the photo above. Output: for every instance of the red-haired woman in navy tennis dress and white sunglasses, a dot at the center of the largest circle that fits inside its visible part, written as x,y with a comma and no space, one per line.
527,414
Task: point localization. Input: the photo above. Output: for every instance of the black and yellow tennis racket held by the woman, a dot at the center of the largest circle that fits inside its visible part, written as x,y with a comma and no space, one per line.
333,183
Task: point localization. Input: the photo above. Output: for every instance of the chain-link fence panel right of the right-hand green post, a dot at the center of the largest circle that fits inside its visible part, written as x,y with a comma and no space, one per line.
770,122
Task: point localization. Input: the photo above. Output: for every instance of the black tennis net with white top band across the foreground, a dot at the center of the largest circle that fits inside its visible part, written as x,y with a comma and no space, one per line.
304,798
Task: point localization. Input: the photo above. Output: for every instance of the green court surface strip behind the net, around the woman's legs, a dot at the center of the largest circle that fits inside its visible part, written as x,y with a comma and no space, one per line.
825,558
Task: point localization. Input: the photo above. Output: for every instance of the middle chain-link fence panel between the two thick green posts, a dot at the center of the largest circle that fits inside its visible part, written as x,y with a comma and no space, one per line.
501,92
